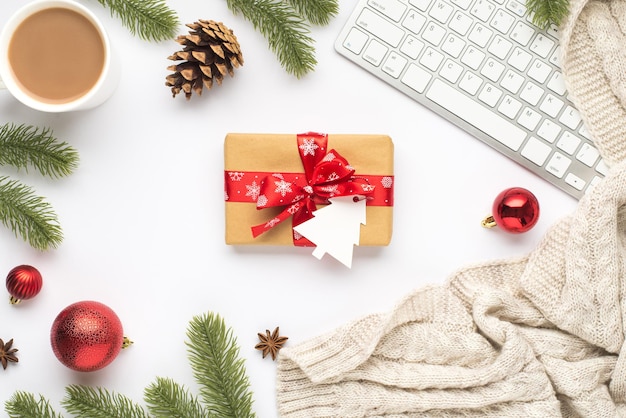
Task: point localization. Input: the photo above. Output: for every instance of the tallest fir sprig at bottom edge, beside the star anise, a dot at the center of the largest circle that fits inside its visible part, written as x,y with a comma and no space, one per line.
221,374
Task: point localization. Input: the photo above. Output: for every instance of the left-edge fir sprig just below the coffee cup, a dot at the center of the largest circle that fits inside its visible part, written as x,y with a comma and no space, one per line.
25,146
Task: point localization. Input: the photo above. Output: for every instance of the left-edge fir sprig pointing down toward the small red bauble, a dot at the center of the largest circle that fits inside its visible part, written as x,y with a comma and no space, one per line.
28,215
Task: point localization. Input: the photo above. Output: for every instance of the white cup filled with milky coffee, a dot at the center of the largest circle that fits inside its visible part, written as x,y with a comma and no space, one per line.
97,87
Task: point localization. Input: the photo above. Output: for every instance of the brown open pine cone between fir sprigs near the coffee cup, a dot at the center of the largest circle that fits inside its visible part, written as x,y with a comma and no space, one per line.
210,52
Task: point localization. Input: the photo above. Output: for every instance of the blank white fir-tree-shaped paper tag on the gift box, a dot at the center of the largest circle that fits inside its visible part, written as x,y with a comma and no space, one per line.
335,229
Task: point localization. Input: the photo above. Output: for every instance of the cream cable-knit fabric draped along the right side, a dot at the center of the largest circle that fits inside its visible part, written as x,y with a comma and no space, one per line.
540,336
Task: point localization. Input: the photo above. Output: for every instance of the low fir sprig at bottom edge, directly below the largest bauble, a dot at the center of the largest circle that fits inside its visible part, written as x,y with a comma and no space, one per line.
87,402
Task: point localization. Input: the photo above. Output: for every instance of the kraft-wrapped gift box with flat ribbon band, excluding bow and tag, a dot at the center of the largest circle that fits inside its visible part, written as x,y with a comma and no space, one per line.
251,158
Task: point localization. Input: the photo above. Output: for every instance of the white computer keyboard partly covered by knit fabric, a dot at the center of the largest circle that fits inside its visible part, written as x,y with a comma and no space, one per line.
484,66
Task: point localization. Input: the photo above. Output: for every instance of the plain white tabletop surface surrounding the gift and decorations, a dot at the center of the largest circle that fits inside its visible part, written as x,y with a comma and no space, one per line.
143,215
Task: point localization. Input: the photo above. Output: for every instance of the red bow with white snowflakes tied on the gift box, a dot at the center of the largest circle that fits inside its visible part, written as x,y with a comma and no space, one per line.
326,175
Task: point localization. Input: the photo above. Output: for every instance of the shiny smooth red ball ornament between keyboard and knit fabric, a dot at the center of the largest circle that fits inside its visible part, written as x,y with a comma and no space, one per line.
515,210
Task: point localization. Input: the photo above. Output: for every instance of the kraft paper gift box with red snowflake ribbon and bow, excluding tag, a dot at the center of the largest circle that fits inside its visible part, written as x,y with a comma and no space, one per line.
276,181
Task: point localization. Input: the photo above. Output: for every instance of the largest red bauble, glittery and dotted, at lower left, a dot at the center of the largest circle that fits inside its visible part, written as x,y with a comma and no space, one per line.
86,336
